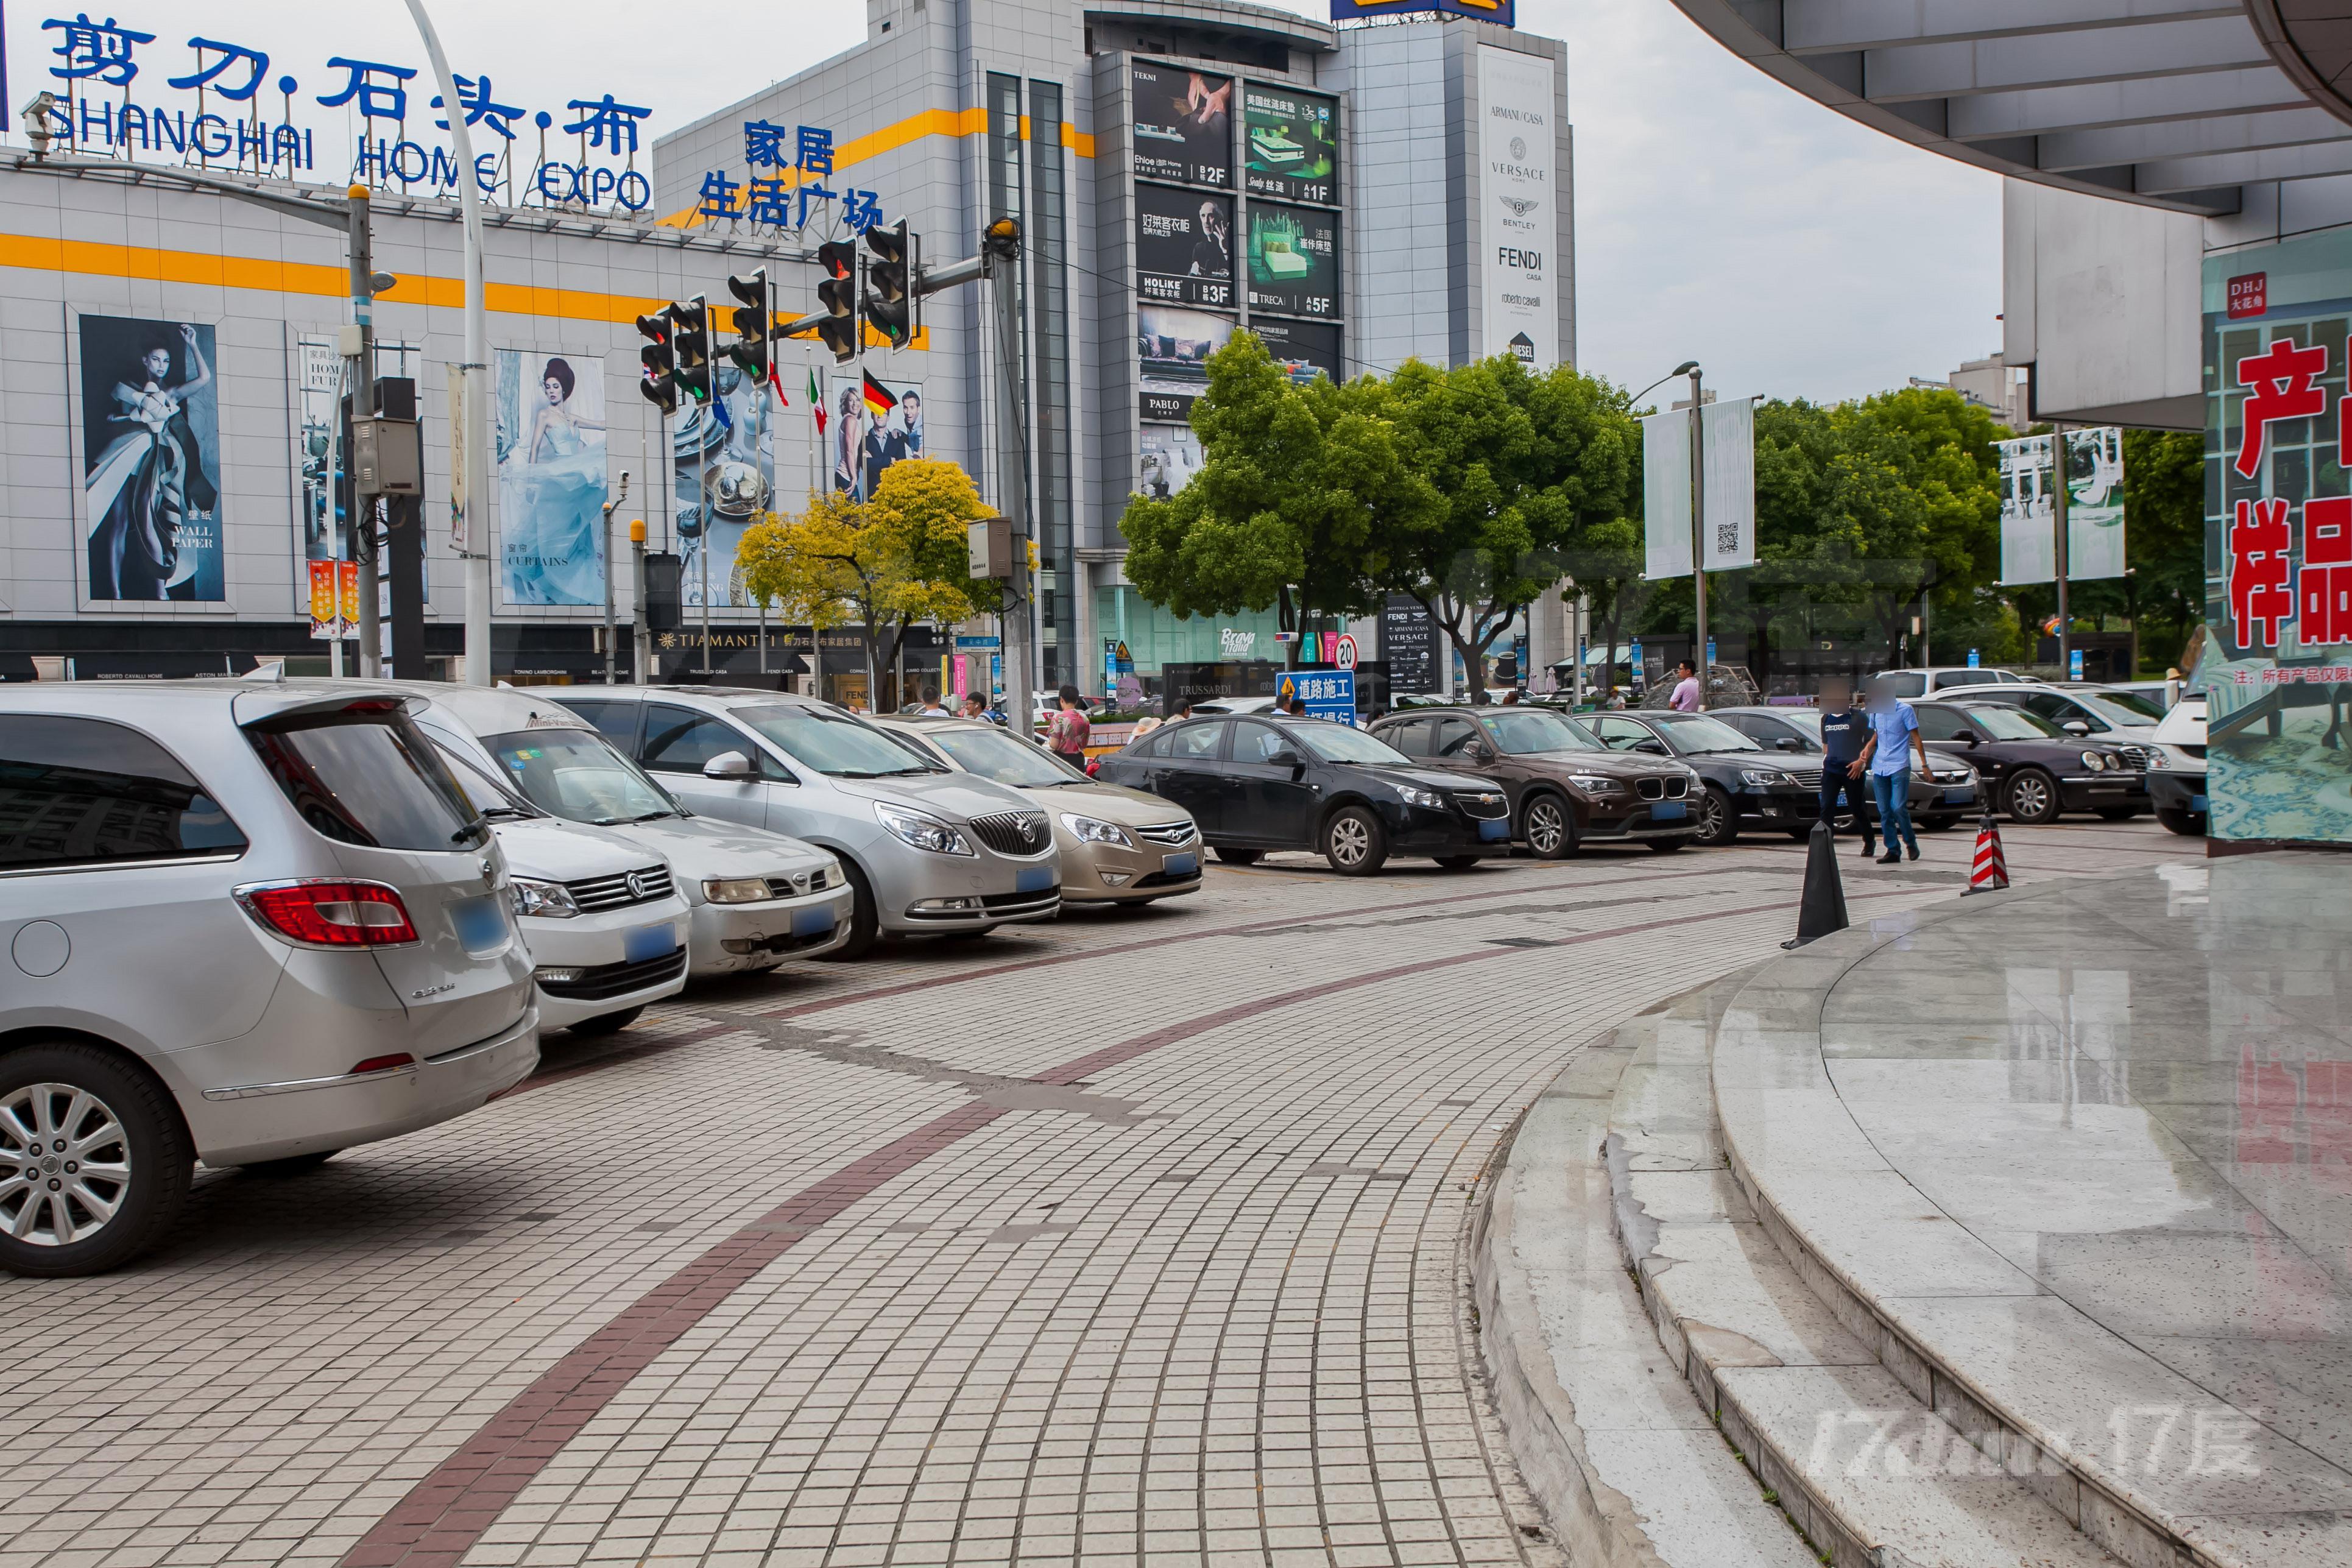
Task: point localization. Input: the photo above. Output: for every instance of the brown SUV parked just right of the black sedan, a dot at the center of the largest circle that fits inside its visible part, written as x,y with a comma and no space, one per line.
1565,786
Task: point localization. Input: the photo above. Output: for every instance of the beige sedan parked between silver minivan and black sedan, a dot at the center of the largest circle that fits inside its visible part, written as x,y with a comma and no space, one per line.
1116,845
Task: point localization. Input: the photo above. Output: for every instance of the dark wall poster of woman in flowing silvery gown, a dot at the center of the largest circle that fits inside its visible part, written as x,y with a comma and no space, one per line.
152,460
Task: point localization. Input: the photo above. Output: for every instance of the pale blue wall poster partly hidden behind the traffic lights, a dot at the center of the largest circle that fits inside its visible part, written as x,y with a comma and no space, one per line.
726,476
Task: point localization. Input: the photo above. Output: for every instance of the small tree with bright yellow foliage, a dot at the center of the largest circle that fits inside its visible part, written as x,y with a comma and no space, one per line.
878,565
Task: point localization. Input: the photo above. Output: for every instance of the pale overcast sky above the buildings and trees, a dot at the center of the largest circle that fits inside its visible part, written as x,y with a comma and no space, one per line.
1720,217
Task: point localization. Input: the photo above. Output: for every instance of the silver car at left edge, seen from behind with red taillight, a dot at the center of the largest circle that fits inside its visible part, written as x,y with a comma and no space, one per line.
243,923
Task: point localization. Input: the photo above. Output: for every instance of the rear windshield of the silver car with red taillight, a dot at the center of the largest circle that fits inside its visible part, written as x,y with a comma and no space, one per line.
368,777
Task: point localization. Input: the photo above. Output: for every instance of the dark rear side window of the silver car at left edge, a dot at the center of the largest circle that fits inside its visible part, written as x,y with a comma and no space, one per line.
88,793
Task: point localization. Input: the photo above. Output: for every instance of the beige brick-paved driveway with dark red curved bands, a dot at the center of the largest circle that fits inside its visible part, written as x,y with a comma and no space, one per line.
1128,1238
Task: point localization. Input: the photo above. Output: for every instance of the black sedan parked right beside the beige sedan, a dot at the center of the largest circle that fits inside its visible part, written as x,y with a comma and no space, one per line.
1271,782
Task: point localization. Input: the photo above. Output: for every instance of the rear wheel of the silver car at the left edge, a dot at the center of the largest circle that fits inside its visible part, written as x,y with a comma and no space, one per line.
140,1137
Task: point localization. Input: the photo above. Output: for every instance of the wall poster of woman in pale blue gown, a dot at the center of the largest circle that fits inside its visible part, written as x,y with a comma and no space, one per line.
552,478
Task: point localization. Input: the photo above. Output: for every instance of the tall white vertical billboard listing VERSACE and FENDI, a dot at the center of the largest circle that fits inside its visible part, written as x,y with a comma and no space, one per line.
1518,217
